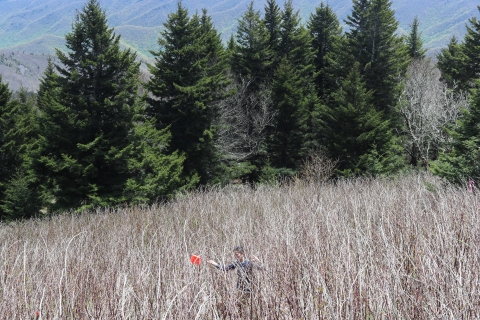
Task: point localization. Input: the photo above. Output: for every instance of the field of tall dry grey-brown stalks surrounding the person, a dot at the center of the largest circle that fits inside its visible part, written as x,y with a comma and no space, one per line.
357,249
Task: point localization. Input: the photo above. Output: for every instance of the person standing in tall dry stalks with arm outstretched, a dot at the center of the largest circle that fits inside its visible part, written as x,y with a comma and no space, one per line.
244,268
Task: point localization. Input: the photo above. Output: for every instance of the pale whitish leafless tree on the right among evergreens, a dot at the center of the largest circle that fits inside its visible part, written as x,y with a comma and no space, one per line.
427,106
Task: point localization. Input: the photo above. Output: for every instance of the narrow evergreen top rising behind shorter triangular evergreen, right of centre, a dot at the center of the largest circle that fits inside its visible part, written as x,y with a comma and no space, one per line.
327,42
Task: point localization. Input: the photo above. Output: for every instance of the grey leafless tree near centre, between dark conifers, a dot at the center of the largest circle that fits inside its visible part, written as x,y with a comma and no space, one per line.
242,121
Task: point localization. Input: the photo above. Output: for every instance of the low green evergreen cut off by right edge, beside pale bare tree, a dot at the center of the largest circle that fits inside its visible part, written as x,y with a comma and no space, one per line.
462,162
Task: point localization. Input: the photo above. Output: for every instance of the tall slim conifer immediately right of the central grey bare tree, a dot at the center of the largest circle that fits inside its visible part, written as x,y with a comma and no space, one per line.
293,95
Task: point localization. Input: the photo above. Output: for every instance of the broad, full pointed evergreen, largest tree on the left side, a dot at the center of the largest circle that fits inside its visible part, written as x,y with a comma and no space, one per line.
87,113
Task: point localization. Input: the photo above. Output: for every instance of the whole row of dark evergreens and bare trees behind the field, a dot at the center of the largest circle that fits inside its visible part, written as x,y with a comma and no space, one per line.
280,92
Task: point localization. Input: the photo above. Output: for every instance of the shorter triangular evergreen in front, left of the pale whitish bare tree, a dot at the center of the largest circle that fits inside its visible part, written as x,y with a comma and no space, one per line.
357,133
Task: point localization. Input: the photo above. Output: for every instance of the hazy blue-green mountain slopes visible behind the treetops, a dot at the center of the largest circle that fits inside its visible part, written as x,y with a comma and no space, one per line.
36,27
